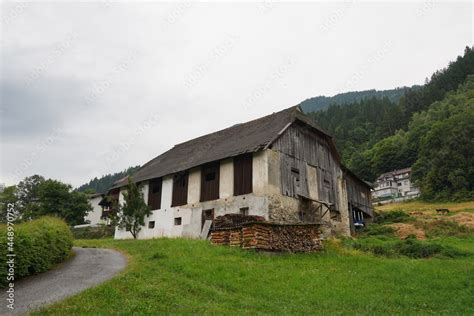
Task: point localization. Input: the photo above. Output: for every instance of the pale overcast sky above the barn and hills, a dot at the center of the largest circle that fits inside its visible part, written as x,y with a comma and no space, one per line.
92,88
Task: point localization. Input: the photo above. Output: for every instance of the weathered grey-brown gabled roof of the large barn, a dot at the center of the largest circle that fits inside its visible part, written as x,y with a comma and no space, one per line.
242,138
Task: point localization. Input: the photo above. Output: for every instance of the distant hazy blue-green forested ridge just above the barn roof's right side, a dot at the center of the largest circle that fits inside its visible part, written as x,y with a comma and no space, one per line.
323,102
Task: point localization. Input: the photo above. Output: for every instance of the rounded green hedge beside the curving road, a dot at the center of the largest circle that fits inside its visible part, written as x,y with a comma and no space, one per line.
38,246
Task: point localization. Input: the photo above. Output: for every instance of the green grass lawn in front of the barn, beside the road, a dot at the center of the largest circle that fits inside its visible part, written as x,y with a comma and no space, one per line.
178,276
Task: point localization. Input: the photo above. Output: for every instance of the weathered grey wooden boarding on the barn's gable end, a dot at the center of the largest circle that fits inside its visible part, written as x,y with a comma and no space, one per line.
299,146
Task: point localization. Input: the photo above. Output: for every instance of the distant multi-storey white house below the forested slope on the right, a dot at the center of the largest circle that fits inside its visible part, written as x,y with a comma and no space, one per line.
394,186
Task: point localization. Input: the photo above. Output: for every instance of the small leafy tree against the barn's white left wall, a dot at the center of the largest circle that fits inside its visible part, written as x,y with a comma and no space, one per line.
131,215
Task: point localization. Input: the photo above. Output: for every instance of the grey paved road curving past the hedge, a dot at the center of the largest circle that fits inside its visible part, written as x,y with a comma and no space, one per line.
89,267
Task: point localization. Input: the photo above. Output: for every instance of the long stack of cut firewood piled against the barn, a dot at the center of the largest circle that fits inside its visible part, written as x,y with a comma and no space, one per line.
269,236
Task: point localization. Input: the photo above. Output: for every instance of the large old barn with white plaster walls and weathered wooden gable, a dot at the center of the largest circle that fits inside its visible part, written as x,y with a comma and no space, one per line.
282,167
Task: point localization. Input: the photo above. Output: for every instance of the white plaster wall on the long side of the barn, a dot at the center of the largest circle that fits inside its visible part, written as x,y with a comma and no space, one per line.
191,214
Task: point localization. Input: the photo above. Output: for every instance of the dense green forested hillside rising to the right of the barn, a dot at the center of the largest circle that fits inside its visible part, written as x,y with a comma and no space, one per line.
377,135
